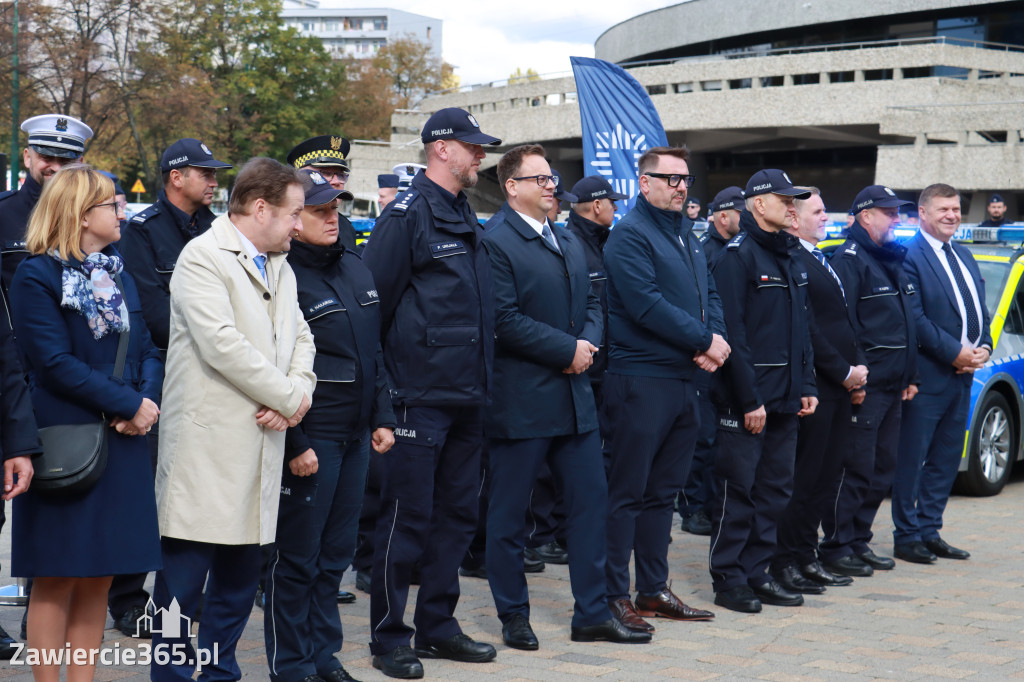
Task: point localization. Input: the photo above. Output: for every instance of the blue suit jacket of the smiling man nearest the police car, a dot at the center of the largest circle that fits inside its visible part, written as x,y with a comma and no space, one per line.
936,316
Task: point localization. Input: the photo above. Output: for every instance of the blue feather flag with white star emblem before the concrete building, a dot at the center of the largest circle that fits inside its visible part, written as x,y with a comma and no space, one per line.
620,123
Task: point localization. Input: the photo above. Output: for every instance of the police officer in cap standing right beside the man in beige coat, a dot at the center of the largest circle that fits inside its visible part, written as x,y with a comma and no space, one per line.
326,456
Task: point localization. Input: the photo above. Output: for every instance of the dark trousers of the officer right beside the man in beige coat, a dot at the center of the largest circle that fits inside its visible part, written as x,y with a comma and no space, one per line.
317,528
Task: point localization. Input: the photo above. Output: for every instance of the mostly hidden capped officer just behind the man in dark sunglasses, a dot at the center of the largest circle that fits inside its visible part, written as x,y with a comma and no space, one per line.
695,500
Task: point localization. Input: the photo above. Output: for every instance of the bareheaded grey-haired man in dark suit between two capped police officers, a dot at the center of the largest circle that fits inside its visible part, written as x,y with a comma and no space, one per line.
824,438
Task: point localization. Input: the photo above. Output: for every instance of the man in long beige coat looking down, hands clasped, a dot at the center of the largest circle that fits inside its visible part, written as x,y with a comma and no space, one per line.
239,372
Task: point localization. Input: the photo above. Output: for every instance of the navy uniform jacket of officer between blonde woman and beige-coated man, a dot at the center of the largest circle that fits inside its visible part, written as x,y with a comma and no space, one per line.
151,247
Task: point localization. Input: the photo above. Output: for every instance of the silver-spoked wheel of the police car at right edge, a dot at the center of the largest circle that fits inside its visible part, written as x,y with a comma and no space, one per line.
993,449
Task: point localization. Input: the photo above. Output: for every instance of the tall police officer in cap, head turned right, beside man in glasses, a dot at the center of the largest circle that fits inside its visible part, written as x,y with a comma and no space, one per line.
435,282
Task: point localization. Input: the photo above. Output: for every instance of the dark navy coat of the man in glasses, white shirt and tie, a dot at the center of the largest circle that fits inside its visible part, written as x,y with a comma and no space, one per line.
544,306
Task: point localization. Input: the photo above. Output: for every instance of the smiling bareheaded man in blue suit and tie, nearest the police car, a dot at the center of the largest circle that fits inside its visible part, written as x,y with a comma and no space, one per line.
953,322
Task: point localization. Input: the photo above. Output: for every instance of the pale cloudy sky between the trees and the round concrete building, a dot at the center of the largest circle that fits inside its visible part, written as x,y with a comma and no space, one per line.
487,40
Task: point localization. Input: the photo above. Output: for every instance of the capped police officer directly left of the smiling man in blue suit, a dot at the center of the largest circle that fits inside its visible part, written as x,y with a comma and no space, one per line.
878,293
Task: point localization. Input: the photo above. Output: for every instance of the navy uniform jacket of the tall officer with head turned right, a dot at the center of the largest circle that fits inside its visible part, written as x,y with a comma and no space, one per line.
438,315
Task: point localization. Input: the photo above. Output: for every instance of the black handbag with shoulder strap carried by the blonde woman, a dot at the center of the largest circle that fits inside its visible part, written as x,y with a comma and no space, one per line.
75,455
